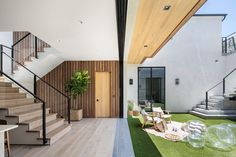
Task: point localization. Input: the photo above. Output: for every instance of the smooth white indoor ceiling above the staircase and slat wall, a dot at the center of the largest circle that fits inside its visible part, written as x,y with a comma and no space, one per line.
58,22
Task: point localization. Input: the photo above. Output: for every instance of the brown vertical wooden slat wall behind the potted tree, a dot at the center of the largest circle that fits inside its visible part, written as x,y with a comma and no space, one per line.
60,75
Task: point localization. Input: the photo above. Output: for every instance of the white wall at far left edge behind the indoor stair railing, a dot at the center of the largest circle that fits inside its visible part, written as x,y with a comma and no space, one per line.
6,38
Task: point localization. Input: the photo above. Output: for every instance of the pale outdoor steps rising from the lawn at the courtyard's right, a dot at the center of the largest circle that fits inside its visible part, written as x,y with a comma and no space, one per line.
219,106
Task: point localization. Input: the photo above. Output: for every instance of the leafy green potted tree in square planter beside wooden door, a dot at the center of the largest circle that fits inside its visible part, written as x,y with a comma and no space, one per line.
77,85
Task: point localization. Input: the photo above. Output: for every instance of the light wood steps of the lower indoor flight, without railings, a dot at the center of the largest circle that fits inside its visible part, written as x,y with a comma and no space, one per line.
17,108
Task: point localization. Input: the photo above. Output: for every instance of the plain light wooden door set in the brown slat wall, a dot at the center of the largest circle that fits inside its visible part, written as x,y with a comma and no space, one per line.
102,94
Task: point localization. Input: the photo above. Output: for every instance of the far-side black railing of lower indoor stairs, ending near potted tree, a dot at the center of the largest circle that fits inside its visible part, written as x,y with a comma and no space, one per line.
35,80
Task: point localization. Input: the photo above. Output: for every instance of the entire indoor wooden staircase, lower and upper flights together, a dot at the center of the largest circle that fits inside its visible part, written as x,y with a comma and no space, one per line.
37,125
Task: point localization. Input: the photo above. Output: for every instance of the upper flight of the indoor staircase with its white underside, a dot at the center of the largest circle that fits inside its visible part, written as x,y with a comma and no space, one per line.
33,53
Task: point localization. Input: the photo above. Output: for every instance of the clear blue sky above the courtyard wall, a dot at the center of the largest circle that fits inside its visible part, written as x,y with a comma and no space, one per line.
222,7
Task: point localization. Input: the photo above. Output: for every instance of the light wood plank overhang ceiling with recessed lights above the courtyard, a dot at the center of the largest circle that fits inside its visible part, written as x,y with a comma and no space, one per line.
155,25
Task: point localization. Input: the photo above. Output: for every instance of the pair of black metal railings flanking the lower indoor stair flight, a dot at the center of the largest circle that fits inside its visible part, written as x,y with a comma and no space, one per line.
34,94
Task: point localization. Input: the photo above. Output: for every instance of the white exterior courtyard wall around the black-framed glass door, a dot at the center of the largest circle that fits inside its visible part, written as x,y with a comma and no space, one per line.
193,56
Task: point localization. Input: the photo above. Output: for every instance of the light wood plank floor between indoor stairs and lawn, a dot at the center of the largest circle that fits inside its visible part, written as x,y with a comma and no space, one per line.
87,138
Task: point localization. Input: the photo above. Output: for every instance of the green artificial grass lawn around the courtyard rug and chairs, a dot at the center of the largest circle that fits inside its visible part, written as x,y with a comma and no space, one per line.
148,145
